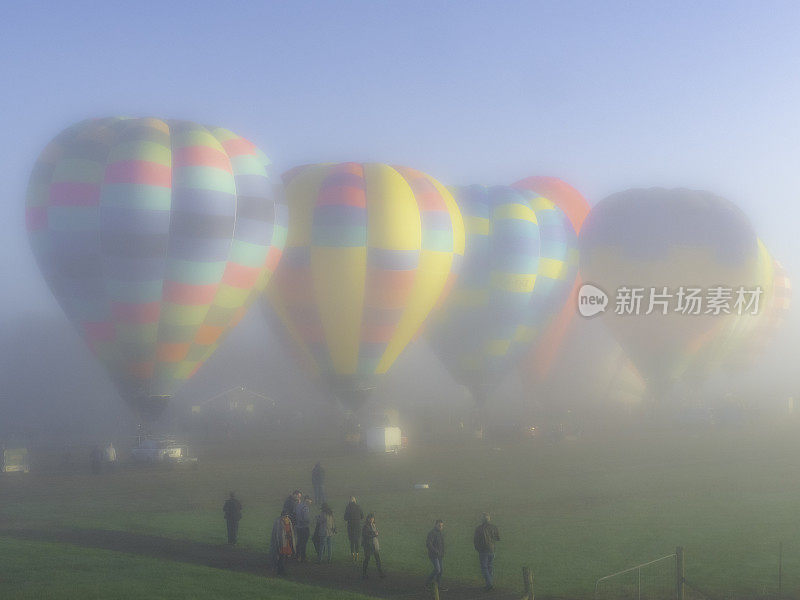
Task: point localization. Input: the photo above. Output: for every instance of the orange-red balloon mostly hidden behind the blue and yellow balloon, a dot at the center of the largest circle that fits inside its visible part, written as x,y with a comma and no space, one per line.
540,359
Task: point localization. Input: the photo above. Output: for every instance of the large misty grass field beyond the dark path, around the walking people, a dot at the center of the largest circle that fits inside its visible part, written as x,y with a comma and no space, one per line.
572,511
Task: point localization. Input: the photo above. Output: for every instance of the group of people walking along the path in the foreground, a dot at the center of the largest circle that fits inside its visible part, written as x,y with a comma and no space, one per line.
291,532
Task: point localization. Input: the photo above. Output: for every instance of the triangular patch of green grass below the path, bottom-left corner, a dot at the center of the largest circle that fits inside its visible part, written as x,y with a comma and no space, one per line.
40,570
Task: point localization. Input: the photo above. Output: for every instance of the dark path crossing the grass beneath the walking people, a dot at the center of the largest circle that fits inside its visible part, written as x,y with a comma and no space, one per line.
396,585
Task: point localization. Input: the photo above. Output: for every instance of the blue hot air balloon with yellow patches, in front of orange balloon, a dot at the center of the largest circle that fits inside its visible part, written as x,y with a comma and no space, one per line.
519,261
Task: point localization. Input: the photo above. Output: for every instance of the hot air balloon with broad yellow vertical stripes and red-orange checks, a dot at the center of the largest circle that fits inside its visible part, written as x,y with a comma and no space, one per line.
370,250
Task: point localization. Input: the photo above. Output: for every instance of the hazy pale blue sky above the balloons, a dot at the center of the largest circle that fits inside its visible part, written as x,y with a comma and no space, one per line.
608,95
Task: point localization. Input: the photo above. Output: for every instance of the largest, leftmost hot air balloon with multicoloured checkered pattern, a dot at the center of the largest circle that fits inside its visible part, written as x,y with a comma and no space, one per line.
155,237
